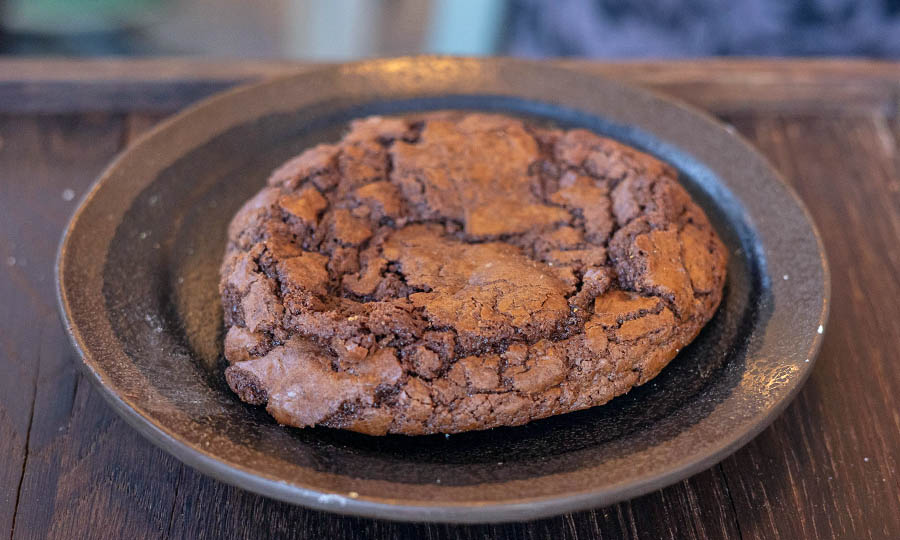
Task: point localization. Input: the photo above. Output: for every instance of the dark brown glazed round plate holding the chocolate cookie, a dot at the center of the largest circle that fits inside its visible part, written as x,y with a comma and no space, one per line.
138,269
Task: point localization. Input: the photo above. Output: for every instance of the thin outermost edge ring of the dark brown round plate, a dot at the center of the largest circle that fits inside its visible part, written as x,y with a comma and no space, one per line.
398,509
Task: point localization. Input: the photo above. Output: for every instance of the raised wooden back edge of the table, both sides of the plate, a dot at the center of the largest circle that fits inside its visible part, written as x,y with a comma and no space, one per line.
719,86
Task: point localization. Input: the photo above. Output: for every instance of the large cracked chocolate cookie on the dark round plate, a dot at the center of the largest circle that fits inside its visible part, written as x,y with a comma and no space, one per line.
452,272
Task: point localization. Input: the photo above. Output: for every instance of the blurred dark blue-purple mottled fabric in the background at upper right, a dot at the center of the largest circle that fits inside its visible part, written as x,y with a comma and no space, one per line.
682,28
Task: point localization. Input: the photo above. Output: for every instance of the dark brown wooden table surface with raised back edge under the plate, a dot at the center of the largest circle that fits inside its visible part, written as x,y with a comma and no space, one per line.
828,467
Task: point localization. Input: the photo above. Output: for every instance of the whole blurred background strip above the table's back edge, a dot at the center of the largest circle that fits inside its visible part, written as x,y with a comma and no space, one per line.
347,29
